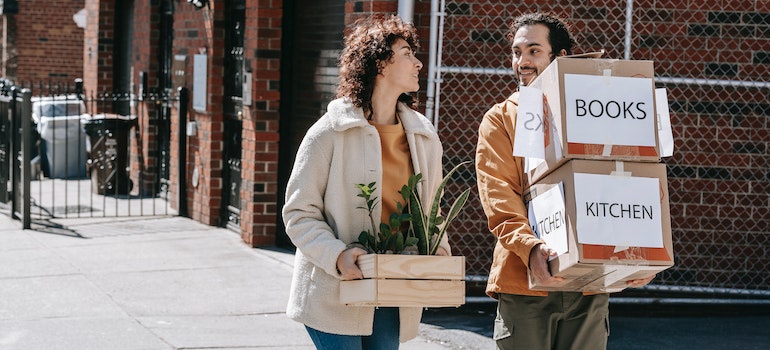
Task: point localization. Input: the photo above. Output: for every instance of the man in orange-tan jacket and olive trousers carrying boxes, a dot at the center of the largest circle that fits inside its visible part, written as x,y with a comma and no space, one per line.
528,319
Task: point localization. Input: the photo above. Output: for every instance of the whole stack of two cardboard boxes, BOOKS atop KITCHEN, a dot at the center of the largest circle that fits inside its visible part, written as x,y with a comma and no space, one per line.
600,196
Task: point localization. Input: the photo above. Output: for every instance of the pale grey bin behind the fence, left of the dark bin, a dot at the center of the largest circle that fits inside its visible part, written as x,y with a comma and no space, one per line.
62,144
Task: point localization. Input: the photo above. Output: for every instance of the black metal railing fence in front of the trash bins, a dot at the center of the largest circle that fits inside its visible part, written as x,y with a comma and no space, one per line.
87,164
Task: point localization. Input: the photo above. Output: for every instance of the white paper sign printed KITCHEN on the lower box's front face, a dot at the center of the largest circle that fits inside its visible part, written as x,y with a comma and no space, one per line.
618,210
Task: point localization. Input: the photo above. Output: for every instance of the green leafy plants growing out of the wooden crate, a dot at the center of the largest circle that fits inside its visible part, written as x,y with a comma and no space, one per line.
424,231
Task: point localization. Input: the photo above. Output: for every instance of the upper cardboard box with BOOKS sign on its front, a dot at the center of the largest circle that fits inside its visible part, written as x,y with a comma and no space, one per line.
595,108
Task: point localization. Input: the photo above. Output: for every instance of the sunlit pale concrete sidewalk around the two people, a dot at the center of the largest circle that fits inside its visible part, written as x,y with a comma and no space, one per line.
154,283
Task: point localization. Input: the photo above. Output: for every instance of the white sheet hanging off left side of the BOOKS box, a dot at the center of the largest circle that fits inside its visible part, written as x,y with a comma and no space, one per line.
530,125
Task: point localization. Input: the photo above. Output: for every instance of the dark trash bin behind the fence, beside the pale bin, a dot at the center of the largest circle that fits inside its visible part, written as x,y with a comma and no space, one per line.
108,162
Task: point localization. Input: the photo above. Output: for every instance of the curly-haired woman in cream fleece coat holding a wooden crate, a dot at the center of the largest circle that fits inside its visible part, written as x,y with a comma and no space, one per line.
368,134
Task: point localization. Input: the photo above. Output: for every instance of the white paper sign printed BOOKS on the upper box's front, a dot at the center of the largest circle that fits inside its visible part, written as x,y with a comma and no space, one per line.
606,110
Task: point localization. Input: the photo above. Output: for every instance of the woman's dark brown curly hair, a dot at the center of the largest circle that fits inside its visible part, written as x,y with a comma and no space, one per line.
367,49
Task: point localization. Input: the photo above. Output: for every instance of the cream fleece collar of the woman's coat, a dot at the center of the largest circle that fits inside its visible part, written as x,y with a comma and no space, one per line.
347,116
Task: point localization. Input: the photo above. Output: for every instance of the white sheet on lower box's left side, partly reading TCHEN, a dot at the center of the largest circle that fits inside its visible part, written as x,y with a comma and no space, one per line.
547,216
